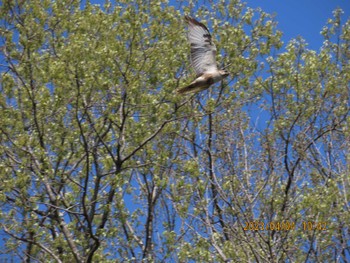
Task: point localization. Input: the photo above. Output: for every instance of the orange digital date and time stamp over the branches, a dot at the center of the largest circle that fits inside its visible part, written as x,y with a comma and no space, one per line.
284,226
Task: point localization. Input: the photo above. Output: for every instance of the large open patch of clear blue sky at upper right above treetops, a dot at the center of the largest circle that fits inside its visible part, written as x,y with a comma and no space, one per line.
302,17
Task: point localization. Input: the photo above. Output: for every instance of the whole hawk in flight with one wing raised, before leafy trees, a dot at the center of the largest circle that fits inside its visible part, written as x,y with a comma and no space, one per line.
203,52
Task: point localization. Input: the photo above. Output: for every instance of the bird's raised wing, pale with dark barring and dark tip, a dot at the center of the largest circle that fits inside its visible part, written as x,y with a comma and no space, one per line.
203,50
